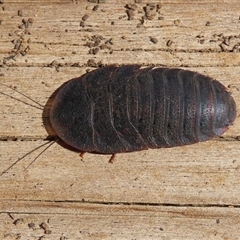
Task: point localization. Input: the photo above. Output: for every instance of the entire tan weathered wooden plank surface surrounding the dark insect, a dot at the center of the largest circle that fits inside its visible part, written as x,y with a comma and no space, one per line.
189,192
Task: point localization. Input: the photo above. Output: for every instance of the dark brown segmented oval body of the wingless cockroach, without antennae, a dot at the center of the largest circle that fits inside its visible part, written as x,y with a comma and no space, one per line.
128,108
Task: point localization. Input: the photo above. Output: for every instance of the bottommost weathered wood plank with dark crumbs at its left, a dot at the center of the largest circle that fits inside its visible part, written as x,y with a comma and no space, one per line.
95,221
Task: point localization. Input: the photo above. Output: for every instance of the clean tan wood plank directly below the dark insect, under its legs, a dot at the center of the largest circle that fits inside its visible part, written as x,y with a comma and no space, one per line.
206,173
